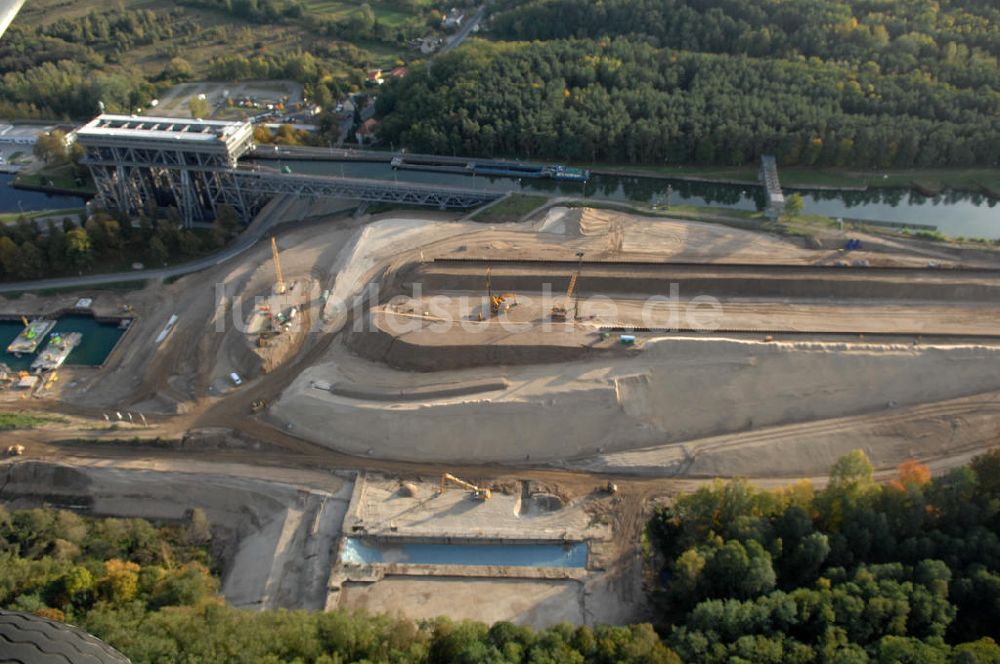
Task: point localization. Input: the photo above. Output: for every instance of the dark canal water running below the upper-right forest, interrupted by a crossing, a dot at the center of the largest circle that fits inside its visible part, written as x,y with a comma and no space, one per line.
953,213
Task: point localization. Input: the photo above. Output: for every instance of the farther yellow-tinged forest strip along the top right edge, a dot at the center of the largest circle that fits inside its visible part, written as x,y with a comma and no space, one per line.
956,41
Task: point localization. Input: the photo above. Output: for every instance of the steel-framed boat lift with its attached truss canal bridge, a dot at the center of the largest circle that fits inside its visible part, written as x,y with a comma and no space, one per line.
193,165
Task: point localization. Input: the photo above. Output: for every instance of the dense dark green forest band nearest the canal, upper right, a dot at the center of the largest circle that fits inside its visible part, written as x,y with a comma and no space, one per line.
621,100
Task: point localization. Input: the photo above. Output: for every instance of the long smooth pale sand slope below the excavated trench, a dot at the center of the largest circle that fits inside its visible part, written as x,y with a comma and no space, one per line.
678,389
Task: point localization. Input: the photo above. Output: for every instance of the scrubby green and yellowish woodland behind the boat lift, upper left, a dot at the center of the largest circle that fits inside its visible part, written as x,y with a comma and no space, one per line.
61,64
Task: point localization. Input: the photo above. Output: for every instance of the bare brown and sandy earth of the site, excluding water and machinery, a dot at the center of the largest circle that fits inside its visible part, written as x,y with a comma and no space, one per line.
563,407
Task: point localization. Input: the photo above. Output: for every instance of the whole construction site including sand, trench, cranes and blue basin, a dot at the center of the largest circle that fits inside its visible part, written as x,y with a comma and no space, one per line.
395,411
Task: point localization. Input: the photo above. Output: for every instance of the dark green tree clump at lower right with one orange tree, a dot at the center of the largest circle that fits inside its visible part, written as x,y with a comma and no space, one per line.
856,572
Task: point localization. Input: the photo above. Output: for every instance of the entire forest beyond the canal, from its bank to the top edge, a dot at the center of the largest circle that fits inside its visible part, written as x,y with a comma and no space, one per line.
847,83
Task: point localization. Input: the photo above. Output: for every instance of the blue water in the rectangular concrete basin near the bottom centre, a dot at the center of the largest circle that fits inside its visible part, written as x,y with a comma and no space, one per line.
358,552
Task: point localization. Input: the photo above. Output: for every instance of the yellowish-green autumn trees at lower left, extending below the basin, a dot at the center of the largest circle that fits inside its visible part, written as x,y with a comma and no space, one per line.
149,590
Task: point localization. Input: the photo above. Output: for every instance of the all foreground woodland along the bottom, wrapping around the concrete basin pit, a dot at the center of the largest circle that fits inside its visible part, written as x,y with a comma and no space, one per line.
906,572
